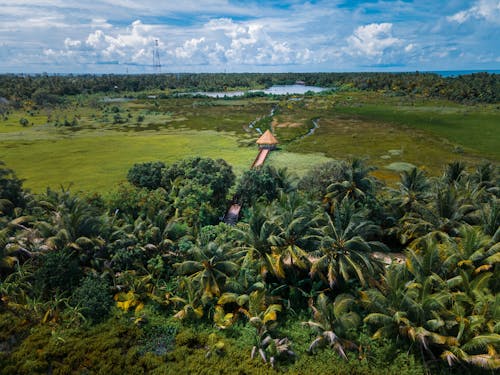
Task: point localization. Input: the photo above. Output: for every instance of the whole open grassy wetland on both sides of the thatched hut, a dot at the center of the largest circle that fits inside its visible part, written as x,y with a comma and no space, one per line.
103,140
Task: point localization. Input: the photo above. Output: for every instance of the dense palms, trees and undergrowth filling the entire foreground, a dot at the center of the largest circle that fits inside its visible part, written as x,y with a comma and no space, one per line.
335,267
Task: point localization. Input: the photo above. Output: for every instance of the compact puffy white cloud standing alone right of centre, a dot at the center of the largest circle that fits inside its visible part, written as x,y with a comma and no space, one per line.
372,40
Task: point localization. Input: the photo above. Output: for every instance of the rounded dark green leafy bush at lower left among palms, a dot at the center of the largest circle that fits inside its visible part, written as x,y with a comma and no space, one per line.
94,298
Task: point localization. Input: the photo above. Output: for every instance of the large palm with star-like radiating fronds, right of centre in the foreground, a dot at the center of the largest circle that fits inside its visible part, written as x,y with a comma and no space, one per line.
344,252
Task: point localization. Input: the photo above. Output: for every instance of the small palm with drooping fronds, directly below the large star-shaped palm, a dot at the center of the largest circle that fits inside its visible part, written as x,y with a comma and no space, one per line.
333,320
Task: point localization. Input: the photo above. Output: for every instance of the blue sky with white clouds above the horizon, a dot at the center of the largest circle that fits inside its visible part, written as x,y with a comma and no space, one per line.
119,36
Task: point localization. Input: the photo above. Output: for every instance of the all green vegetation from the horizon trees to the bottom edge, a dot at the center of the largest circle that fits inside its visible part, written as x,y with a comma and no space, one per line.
367,244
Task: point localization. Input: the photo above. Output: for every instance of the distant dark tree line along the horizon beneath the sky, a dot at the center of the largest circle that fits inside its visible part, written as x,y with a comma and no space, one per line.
48,89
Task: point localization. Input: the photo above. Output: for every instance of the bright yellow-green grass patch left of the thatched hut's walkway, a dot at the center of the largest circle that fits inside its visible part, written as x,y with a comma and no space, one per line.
100,163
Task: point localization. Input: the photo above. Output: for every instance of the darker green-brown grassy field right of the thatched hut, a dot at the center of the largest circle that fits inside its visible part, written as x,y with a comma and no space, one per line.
392,130
